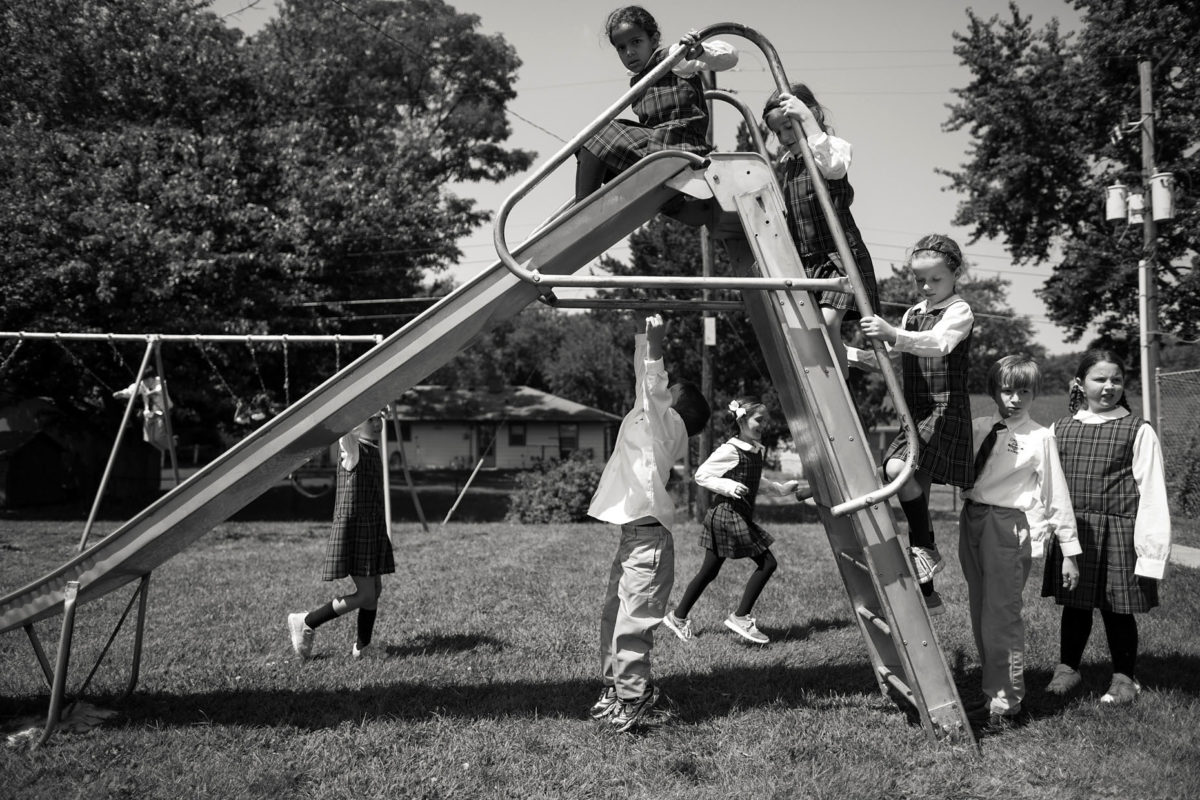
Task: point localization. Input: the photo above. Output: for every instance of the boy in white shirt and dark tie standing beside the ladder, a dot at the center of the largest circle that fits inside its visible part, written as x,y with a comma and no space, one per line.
1019,498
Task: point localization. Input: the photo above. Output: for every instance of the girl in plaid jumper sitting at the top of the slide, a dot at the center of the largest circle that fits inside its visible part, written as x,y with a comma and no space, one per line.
671,113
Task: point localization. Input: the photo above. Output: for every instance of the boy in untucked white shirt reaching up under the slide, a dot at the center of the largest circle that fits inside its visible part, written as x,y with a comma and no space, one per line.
633,494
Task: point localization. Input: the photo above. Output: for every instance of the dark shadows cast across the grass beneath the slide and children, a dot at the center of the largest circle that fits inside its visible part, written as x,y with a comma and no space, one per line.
693,699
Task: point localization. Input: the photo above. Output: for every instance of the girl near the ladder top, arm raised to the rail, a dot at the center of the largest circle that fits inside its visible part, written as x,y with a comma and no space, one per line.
806,219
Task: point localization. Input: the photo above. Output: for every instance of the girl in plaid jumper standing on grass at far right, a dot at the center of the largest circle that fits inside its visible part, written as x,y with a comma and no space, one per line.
1114,470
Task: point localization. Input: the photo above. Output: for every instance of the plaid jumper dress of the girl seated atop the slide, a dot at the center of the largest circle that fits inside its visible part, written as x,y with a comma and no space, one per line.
671,113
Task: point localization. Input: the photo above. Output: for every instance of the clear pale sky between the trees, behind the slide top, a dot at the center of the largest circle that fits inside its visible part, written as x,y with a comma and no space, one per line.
884,69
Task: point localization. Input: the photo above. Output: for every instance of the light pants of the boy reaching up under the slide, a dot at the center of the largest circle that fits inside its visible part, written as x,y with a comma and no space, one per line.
637,601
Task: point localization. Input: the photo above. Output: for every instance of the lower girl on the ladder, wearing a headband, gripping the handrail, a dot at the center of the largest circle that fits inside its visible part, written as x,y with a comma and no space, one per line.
934,342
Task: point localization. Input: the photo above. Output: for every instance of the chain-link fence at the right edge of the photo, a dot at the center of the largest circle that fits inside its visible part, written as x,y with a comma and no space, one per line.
1179,430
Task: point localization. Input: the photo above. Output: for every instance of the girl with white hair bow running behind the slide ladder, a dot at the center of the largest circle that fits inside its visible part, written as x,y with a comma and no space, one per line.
734,474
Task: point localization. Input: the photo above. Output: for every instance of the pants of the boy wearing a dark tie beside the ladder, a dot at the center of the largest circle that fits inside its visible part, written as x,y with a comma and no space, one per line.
995,551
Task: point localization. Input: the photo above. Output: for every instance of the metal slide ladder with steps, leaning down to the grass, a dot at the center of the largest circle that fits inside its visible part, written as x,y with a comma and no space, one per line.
829,435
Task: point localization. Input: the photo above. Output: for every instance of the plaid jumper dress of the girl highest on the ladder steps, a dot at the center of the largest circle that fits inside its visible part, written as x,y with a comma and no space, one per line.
814,239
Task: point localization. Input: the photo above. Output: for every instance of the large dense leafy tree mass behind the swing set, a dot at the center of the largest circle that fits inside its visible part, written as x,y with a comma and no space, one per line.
164,175
